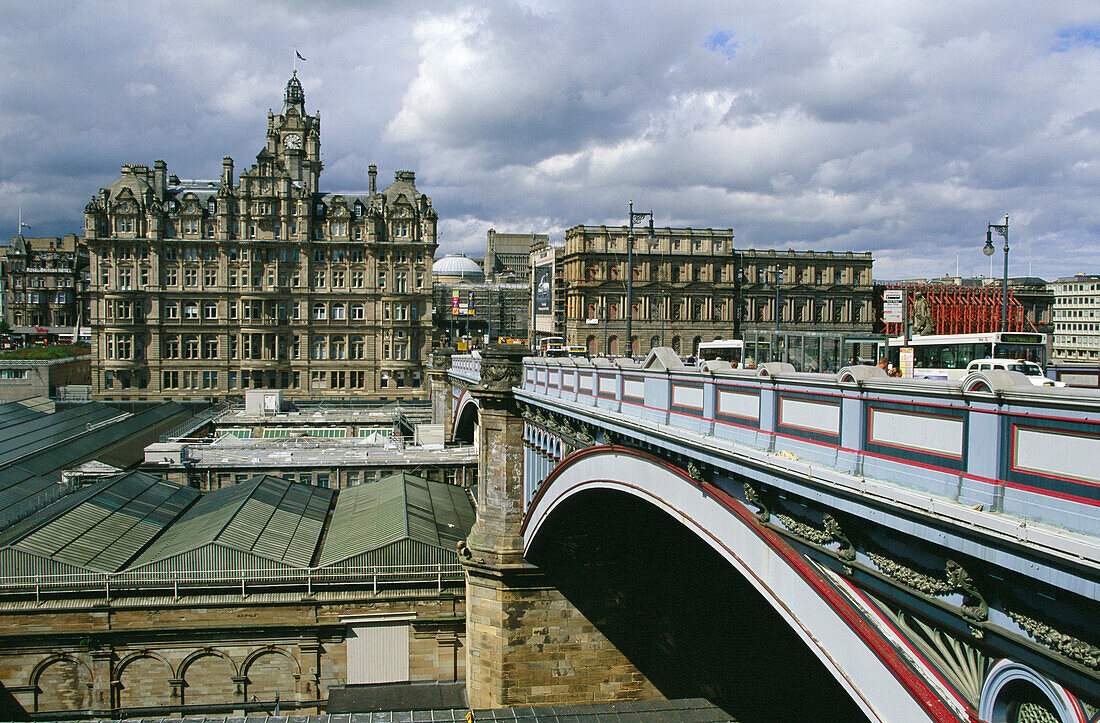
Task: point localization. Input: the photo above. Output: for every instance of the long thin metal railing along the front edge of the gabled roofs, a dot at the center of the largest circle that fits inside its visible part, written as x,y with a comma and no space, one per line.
244,582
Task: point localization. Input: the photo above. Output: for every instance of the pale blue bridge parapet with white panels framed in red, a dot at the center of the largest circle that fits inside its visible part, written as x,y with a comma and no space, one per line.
992,445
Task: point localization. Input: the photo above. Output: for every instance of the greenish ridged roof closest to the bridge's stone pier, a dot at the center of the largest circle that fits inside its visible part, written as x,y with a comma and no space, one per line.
370,517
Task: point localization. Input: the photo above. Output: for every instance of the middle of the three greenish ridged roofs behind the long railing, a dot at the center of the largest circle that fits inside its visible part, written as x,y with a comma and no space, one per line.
268,517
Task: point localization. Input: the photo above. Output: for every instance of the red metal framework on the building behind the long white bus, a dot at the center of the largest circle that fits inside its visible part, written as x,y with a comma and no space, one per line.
959,310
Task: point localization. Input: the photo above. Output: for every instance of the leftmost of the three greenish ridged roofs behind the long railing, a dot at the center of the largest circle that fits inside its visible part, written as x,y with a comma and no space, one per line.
111,525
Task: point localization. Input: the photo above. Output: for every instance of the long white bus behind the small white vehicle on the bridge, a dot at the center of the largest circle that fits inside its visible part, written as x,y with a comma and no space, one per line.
948,356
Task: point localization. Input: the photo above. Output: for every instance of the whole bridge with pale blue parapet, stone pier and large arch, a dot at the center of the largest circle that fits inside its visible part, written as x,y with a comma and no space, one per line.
846,546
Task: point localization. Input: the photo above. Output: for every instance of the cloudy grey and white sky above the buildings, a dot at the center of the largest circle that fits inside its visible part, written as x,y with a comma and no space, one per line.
898,128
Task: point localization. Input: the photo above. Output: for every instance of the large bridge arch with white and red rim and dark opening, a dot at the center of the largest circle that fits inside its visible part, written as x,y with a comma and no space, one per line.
820,637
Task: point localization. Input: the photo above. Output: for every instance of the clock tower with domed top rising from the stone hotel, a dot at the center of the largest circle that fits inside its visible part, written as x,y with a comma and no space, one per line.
294,138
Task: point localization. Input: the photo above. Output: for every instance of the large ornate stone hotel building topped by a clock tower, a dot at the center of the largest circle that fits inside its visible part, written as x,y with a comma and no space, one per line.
204,289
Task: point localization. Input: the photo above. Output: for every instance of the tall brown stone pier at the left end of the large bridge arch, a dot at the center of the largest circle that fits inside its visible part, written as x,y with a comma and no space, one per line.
526,644
